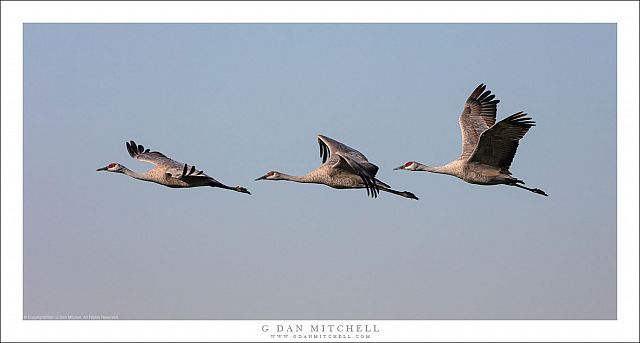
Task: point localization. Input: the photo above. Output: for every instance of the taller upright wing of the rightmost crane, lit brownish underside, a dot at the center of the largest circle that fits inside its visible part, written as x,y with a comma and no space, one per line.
478,115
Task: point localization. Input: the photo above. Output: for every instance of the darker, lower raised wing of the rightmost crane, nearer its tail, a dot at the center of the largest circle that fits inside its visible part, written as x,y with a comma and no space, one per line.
497,145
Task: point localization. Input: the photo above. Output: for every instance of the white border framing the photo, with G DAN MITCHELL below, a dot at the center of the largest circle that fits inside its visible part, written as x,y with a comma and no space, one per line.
625,14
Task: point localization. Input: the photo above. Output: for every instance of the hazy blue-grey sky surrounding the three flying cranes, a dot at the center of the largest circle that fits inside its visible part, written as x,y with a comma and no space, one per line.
240,100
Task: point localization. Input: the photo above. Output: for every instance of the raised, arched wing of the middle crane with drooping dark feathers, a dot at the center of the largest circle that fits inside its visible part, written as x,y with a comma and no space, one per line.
348,159
